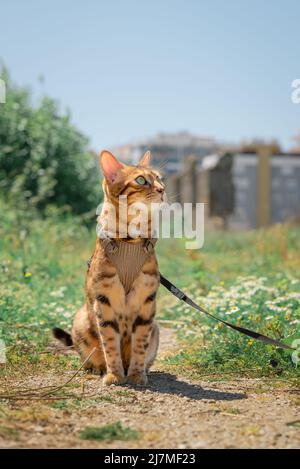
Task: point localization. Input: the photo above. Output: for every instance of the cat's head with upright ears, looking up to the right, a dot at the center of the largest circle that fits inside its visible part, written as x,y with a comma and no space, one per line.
139,183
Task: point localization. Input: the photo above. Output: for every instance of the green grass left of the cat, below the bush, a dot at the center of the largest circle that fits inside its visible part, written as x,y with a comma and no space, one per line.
56,252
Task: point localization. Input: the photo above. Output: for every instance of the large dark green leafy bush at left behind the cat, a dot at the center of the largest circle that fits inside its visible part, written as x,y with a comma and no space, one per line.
44,159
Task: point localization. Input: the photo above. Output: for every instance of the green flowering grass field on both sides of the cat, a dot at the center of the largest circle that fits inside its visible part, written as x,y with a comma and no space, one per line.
251,279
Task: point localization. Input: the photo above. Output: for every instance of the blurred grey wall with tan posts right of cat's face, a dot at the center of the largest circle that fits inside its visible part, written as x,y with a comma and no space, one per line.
246,190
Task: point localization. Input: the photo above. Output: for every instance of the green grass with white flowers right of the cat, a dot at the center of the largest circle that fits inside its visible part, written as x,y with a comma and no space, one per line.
250,279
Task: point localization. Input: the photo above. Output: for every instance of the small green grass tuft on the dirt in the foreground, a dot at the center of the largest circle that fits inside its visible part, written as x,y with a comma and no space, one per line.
112,432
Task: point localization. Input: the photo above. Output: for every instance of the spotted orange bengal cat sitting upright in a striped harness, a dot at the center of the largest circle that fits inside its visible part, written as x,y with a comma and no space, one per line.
117,318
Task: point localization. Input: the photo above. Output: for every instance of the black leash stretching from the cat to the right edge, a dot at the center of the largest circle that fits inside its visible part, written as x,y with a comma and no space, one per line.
255,335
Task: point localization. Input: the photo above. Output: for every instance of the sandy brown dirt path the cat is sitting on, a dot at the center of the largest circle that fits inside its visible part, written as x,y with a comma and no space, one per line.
172,412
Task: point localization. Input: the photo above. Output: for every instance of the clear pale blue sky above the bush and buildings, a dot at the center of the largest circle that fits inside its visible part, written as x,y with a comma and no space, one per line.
128,69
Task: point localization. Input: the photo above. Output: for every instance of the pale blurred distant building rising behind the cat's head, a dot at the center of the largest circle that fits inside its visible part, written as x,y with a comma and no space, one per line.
168,150
